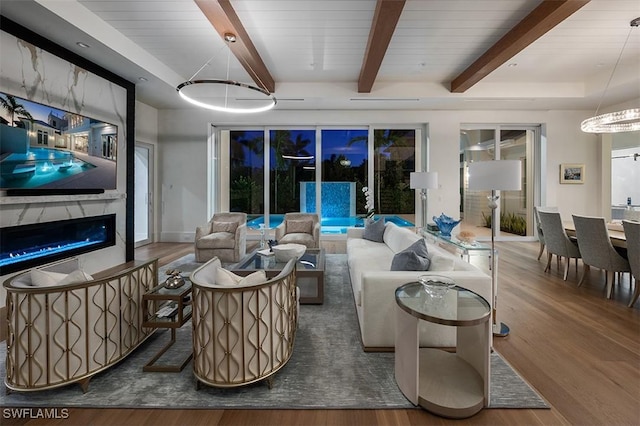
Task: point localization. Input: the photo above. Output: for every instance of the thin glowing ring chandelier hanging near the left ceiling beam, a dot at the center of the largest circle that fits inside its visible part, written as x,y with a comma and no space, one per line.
226,95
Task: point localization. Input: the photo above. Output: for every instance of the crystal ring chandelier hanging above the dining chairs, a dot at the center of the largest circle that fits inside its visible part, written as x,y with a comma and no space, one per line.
627,120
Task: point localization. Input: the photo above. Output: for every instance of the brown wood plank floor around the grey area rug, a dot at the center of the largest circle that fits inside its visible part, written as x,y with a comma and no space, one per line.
579,350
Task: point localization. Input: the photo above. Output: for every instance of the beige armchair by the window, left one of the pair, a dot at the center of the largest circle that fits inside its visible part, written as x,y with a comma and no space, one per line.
224,236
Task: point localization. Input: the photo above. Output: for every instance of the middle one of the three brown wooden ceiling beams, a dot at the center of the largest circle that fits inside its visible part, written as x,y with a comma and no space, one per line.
384,23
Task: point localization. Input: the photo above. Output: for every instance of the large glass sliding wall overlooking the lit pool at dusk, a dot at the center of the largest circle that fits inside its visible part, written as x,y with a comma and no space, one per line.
275,171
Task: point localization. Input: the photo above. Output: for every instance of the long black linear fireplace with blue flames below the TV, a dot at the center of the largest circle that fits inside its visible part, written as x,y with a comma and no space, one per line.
26,246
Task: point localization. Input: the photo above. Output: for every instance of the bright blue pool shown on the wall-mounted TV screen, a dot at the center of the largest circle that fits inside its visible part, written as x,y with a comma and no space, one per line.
39,166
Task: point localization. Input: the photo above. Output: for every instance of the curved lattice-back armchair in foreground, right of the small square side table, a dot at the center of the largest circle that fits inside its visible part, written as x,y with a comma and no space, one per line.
242,333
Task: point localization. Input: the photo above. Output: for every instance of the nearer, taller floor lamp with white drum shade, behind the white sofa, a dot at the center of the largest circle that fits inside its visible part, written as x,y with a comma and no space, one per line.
495,175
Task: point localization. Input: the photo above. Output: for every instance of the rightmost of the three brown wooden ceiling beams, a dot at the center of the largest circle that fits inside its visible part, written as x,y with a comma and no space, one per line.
542,19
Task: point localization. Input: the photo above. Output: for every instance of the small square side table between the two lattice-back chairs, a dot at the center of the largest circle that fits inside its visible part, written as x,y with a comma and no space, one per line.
157,298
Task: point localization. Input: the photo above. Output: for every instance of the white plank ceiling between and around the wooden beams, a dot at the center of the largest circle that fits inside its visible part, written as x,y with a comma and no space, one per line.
314,50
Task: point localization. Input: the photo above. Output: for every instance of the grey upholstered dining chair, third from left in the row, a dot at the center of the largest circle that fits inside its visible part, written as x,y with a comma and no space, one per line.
597,250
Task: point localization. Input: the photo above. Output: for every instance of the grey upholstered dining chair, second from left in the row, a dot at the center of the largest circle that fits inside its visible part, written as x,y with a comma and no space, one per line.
557,241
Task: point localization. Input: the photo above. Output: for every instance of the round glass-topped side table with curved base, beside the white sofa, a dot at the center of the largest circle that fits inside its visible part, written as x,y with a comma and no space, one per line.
454,385
